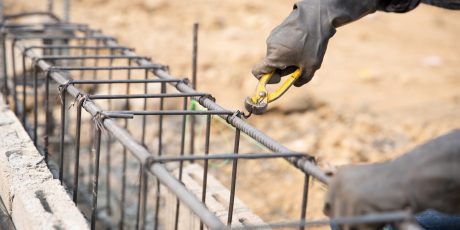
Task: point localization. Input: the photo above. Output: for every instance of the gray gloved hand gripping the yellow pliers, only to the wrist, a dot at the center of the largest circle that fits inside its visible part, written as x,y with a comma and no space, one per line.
299,42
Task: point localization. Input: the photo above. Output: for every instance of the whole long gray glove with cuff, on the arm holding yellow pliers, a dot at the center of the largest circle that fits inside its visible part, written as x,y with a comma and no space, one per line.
301,39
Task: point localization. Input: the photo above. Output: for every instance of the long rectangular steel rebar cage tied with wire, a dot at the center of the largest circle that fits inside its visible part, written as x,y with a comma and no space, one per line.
134,146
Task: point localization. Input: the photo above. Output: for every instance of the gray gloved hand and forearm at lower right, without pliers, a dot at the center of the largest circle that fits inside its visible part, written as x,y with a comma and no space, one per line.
428,177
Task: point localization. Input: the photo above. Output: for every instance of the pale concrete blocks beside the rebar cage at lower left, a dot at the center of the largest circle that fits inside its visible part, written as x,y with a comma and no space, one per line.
32,197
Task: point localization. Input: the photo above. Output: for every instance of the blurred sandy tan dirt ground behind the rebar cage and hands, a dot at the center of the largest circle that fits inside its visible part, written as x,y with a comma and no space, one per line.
388,81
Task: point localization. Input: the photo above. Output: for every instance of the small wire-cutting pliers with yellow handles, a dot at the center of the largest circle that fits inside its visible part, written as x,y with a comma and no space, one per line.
258,103
